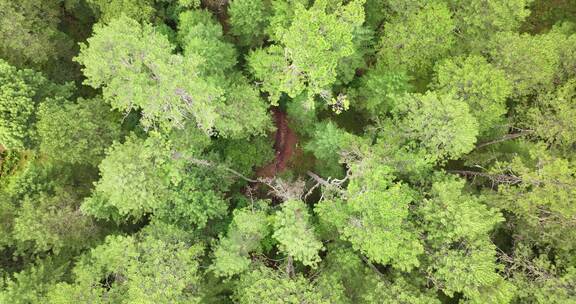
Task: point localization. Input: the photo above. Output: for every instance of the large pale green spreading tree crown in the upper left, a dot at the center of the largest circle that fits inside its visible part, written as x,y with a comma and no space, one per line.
135,66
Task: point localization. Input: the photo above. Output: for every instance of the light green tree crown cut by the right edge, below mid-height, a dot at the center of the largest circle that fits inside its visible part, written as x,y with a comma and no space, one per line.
542,198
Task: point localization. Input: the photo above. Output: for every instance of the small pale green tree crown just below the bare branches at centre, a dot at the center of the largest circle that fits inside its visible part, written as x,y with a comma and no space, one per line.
293,230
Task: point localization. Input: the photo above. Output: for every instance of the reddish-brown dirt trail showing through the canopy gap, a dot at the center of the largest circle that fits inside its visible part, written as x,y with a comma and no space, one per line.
284,145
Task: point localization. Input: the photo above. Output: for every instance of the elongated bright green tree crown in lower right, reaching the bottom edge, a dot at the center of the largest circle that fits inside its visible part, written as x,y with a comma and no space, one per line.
463,259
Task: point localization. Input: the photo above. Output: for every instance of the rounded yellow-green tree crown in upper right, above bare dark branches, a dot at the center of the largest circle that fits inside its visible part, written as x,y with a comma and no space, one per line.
474,81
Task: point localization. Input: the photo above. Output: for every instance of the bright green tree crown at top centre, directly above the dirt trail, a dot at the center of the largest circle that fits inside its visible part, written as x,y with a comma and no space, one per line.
309,51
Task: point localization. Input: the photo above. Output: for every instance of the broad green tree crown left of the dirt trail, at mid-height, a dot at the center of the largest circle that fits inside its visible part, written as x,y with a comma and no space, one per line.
143,177
